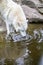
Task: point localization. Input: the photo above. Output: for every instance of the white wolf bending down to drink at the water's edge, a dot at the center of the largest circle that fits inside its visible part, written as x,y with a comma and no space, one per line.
13,15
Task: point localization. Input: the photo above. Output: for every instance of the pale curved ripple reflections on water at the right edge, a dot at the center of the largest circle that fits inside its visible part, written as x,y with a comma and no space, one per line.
38,34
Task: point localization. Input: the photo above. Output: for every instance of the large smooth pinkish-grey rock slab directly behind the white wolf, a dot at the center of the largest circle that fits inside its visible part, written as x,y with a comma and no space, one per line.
32,14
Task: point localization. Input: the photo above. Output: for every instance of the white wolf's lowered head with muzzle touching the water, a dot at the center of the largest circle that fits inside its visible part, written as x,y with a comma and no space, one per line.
21,27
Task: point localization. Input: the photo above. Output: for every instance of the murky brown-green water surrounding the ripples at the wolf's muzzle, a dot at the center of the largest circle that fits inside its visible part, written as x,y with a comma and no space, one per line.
21,53
